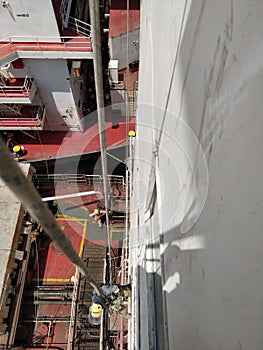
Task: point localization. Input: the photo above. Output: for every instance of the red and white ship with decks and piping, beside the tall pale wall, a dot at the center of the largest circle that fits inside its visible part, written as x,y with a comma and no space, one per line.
49,123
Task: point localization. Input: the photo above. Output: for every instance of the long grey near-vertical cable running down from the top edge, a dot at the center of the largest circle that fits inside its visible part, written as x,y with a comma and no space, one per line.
97,61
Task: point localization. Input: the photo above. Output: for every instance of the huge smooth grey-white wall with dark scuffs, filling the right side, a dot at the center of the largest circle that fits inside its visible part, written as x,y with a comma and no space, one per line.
200,83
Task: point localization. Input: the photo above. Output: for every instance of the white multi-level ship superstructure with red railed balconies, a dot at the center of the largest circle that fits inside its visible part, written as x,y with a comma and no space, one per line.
42,46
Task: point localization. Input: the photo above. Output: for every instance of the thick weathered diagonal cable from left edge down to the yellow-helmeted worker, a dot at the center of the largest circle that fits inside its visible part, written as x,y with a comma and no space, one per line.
25,192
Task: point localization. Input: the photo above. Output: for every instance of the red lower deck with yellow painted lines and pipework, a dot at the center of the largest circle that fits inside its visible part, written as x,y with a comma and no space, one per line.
44,318
